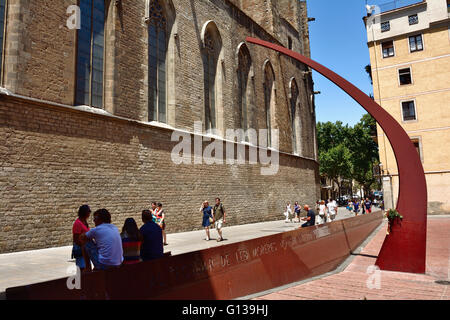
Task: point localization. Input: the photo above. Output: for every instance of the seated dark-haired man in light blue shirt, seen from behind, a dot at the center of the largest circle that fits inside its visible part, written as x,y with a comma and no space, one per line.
107,239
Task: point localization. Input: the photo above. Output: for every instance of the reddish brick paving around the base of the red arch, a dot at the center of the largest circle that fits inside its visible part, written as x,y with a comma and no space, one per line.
351,282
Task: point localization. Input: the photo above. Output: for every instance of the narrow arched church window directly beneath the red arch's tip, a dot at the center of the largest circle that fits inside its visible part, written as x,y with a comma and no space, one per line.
244,64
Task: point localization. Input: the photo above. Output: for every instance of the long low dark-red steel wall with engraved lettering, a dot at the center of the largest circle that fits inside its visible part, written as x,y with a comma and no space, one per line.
223,272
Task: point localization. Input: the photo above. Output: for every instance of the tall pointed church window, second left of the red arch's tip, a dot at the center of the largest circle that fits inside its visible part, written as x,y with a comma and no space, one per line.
157,52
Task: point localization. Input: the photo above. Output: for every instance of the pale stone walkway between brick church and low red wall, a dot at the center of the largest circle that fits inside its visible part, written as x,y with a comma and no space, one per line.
27,267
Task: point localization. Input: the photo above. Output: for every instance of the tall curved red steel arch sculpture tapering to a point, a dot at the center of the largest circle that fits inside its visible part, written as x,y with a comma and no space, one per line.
404,249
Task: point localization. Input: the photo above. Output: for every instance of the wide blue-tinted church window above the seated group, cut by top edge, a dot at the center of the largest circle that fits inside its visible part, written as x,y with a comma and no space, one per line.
90,53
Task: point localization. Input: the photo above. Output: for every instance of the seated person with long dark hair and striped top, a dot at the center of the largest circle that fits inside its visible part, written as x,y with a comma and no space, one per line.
131,242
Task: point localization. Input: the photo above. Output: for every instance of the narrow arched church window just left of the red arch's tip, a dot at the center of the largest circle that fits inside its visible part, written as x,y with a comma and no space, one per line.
210,67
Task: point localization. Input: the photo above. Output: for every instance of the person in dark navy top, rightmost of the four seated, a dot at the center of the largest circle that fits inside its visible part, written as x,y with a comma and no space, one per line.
152,239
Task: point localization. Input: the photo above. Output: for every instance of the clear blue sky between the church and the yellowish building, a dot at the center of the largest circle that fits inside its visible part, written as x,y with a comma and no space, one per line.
339,42
